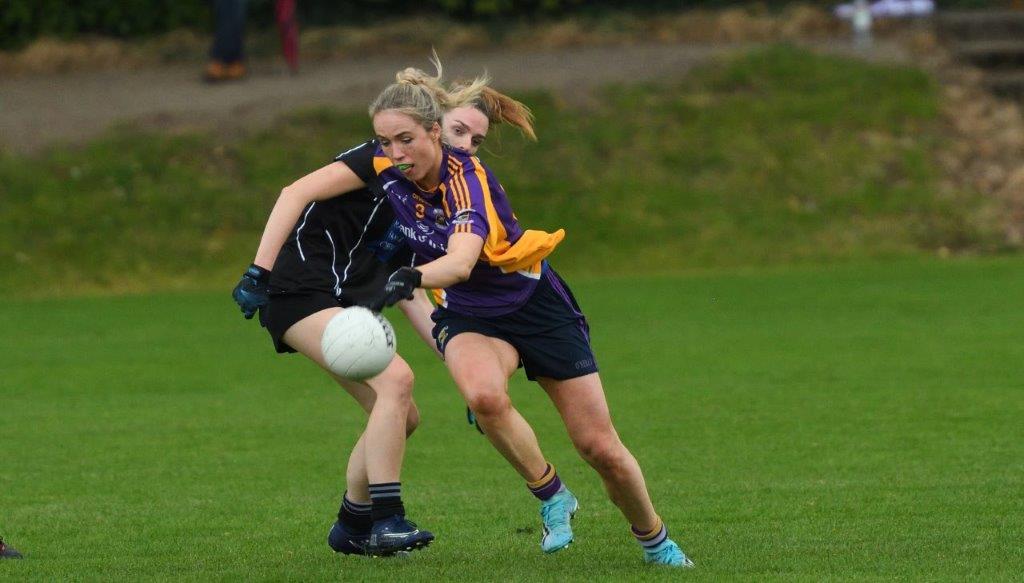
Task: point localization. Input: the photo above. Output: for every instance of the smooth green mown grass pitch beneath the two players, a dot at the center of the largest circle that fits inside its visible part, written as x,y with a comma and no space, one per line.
799,424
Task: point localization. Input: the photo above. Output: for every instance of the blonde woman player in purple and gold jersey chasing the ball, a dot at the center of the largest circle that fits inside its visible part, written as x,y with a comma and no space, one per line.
503,307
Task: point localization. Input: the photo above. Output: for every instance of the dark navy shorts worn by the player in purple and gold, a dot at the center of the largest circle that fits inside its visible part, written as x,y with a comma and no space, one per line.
549,331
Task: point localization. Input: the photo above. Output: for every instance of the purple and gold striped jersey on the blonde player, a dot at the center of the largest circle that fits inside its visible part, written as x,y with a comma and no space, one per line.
470,199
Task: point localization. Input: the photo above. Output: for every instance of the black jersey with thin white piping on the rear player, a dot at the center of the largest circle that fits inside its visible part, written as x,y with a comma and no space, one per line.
347,246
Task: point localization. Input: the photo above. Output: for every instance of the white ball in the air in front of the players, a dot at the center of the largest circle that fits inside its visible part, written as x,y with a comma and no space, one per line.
358,344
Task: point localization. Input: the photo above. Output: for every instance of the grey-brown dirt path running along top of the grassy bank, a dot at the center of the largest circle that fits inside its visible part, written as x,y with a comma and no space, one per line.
39,111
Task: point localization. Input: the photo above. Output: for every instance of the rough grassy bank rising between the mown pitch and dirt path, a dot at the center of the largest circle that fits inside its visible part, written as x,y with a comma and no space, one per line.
776,157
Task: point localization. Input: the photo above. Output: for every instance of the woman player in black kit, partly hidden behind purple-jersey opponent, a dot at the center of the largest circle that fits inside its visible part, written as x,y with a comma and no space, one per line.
337,254
